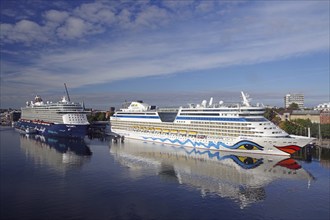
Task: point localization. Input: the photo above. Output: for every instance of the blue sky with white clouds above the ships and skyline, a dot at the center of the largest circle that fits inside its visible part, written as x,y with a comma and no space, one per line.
167,53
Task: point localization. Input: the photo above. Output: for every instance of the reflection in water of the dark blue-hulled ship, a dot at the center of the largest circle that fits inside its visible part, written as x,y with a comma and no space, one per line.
60,154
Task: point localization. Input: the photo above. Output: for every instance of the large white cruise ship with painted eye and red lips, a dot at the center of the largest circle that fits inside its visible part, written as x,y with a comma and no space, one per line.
239,127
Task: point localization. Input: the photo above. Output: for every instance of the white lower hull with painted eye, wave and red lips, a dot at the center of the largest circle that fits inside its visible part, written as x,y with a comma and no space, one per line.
270,146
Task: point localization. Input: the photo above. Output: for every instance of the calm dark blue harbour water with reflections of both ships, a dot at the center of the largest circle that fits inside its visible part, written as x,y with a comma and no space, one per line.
51,178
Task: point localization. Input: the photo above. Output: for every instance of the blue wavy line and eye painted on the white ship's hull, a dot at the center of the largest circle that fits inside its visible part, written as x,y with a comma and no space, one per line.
249,145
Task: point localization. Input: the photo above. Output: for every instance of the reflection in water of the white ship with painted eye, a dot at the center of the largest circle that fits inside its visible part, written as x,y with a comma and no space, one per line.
241,177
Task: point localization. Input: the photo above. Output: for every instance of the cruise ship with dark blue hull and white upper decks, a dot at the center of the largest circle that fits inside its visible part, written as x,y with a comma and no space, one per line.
63,118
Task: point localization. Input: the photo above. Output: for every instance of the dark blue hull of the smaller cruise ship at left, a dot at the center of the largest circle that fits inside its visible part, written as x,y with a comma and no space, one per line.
59,130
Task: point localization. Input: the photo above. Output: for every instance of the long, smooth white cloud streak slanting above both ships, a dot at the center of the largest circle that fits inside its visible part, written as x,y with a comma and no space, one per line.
148,57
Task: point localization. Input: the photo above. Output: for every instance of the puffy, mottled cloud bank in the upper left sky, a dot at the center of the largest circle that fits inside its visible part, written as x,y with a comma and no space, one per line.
84,20
